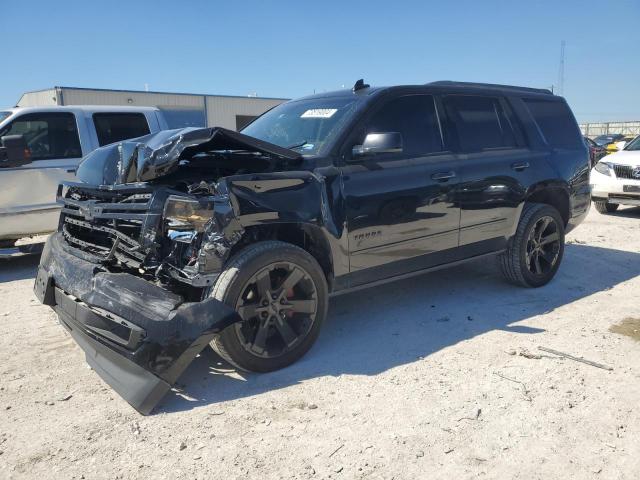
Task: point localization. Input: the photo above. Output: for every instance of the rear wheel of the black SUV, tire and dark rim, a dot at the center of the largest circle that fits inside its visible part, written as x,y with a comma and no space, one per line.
536,250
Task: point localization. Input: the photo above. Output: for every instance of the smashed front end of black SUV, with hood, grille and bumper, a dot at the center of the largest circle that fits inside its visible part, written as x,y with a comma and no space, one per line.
140,243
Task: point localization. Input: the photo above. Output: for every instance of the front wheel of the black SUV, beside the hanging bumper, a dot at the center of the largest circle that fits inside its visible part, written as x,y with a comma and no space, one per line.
281,293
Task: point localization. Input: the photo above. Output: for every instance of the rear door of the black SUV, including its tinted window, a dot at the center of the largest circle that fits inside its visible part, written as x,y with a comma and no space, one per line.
495,167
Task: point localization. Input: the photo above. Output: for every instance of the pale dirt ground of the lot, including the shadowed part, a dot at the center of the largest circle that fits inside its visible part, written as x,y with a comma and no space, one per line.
434,377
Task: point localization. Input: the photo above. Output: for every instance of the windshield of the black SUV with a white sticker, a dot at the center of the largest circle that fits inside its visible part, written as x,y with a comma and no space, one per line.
305,126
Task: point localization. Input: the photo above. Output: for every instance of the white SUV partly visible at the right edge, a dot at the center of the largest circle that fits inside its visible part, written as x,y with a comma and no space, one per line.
615,180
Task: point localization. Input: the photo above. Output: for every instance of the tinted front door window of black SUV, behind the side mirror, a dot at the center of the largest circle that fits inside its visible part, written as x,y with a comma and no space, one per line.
415,118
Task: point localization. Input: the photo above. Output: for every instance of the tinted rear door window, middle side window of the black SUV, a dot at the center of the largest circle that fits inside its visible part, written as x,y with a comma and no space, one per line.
480,122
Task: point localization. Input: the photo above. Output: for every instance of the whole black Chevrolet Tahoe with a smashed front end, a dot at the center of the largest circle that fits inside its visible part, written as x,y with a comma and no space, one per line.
195,237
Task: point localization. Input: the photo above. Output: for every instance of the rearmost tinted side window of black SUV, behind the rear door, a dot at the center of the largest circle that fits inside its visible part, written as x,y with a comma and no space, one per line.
556,122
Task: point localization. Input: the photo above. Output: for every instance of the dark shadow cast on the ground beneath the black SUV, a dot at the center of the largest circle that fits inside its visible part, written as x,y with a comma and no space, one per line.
374,330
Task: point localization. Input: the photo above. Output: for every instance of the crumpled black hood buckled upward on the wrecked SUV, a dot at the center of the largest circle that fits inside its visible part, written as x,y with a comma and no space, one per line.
158,154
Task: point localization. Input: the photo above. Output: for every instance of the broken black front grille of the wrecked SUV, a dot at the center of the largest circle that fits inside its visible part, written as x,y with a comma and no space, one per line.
116,225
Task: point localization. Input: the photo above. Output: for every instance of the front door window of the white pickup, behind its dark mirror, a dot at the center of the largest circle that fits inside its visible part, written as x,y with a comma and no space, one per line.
48,135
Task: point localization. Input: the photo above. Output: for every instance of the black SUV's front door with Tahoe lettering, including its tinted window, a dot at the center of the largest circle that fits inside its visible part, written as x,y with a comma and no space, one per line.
400,206
